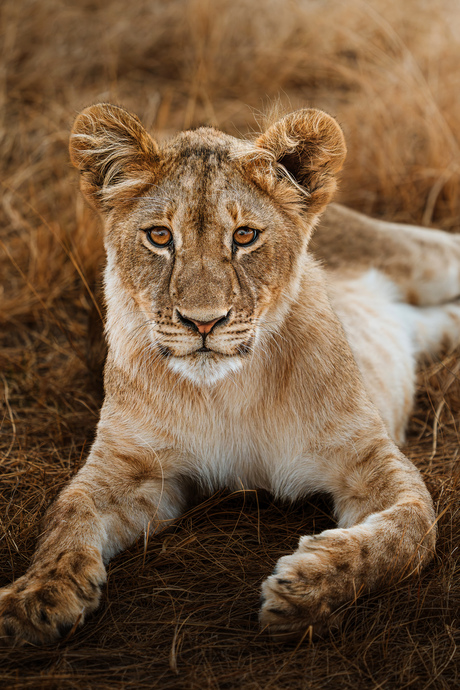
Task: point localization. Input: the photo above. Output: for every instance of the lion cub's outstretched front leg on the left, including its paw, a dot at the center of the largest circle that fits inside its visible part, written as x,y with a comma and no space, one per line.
102,511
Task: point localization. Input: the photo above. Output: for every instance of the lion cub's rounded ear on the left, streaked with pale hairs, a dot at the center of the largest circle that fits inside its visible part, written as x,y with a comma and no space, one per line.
115,155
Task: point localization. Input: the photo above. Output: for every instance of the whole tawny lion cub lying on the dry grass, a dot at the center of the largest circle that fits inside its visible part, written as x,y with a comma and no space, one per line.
236,359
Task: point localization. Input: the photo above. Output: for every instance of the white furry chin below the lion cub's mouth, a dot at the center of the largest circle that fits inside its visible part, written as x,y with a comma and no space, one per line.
205,369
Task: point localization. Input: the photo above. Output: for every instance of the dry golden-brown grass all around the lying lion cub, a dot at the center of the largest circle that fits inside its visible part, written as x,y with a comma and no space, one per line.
181,611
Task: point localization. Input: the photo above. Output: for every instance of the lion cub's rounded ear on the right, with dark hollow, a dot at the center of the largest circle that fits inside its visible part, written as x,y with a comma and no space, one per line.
310,146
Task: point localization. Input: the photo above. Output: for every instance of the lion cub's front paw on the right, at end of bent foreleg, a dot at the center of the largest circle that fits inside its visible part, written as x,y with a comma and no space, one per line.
308,587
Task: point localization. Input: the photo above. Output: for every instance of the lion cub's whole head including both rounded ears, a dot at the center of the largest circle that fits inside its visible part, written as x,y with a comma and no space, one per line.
206,235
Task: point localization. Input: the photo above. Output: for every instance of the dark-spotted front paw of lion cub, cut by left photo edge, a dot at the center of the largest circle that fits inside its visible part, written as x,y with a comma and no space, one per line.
51,598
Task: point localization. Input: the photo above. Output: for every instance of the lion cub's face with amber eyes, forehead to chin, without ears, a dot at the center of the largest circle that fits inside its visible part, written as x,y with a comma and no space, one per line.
206,255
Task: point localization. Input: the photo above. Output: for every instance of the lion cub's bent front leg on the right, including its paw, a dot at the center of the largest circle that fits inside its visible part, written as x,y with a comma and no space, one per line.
386,530
